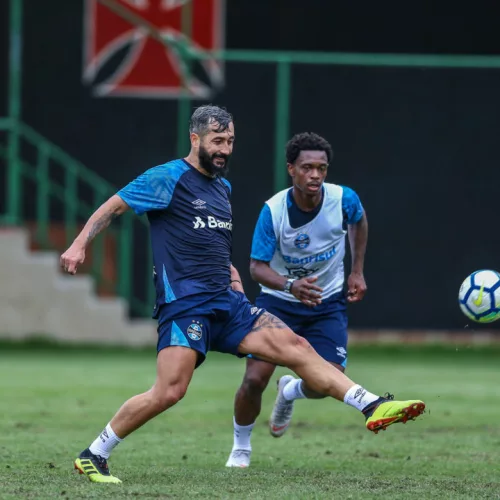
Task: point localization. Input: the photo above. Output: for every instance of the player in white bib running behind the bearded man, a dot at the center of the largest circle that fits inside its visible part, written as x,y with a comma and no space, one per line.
297,258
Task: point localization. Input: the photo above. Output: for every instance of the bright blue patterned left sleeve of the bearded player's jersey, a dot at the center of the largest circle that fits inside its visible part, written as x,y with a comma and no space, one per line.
153,190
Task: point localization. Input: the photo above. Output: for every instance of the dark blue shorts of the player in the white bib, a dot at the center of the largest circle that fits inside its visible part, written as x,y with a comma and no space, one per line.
323,326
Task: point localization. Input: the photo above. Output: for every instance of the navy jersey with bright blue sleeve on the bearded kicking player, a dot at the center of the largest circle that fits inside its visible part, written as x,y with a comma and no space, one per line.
191,229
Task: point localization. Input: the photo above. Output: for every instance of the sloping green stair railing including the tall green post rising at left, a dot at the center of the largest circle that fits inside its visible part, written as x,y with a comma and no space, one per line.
75,175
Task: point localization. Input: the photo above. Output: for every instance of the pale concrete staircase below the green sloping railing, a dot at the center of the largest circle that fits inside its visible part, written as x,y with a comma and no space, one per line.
37,299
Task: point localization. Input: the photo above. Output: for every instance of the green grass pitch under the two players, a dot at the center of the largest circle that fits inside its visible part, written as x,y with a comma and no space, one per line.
54,401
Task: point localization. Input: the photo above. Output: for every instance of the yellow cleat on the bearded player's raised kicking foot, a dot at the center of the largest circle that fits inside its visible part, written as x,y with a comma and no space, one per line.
386,411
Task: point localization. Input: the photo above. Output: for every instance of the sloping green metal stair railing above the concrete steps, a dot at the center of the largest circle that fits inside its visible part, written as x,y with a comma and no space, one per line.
75,211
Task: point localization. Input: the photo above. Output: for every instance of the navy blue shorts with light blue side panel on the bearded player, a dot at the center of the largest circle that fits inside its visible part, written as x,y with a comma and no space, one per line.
219,323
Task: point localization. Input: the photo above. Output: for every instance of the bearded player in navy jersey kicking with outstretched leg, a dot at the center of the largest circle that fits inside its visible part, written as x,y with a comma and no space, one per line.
200,303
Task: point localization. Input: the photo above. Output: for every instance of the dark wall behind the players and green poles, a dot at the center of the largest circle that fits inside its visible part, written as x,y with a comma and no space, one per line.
419,145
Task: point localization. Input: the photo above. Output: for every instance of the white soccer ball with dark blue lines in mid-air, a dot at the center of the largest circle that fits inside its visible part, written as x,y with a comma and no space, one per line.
479,296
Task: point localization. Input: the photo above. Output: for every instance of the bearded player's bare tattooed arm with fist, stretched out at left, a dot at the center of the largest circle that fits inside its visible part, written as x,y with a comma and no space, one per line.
100,219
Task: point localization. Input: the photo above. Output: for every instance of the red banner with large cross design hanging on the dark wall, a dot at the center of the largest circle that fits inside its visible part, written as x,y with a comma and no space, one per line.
146,68
